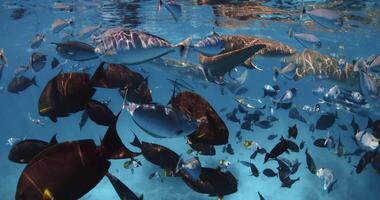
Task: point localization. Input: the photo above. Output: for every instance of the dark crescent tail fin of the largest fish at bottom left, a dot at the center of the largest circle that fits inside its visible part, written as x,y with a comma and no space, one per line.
112,147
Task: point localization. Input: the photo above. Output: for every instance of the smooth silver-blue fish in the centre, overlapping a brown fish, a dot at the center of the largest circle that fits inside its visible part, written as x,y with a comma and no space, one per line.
160,121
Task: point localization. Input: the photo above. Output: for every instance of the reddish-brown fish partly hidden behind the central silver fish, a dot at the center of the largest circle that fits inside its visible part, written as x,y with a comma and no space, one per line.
211,129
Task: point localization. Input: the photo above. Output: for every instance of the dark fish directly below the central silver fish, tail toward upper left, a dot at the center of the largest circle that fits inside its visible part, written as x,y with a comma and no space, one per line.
158,155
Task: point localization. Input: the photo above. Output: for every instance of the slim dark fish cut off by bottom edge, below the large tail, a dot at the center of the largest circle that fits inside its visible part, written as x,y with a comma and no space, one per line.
121,189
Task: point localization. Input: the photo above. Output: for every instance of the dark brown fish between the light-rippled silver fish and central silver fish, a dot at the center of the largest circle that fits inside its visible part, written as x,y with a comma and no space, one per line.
119,76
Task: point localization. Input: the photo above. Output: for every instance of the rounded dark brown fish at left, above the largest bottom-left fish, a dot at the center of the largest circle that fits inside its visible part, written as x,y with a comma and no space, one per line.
64,94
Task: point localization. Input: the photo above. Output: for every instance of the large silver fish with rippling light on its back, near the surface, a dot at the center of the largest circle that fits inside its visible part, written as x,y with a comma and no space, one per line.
125,46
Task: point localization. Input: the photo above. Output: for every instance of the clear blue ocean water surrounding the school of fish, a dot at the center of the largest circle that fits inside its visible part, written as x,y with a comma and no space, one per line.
359,39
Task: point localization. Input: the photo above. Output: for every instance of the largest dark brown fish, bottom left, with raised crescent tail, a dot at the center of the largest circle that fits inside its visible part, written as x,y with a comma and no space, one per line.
71,169
